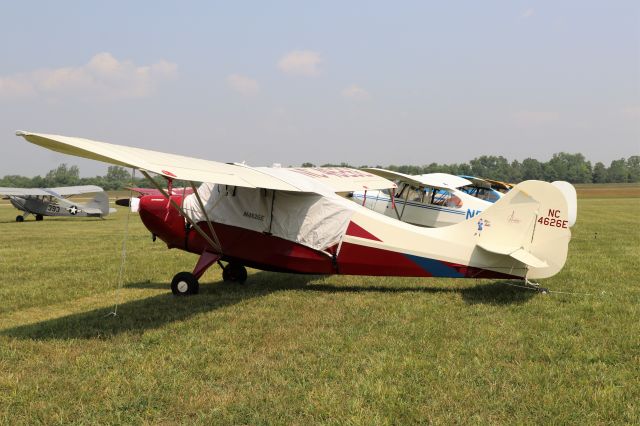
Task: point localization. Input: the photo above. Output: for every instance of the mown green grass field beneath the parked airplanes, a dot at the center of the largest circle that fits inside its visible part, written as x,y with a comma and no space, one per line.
287,349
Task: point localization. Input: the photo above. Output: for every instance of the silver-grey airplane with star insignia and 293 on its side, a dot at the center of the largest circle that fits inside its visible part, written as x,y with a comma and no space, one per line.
42,202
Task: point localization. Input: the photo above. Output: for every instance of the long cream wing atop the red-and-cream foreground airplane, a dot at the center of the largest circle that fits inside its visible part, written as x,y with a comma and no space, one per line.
194,169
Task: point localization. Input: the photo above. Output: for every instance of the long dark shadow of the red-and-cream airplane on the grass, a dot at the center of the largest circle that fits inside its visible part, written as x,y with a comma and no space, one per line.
137,316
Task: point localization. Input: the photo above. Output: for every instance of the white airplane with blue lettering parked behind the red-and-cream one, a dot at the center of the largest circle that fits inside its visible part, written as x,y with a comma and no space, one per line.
432,200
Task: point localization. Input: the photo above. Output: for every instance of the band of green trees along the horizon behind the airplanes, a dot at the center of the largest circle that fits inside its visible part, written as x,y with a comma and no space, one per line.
573,168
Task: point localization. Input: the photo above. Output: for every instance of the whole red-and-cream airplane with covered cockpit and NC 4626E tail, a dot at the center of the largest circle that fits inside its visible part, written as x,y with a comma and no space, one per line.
292,220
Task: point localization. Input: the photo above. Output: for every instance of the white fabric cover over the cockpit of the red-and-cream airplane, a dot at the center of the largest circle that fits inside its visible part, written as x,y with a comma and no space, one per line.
309,219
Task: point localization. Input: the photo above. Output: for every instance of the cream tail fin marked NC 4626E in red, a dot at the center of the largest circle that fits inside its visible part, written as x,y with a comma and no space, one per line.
530,225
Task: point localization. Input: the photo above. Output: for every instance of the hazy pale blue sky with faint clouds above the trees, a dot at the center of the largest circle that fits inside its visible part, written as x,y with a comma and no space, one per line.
288,82
